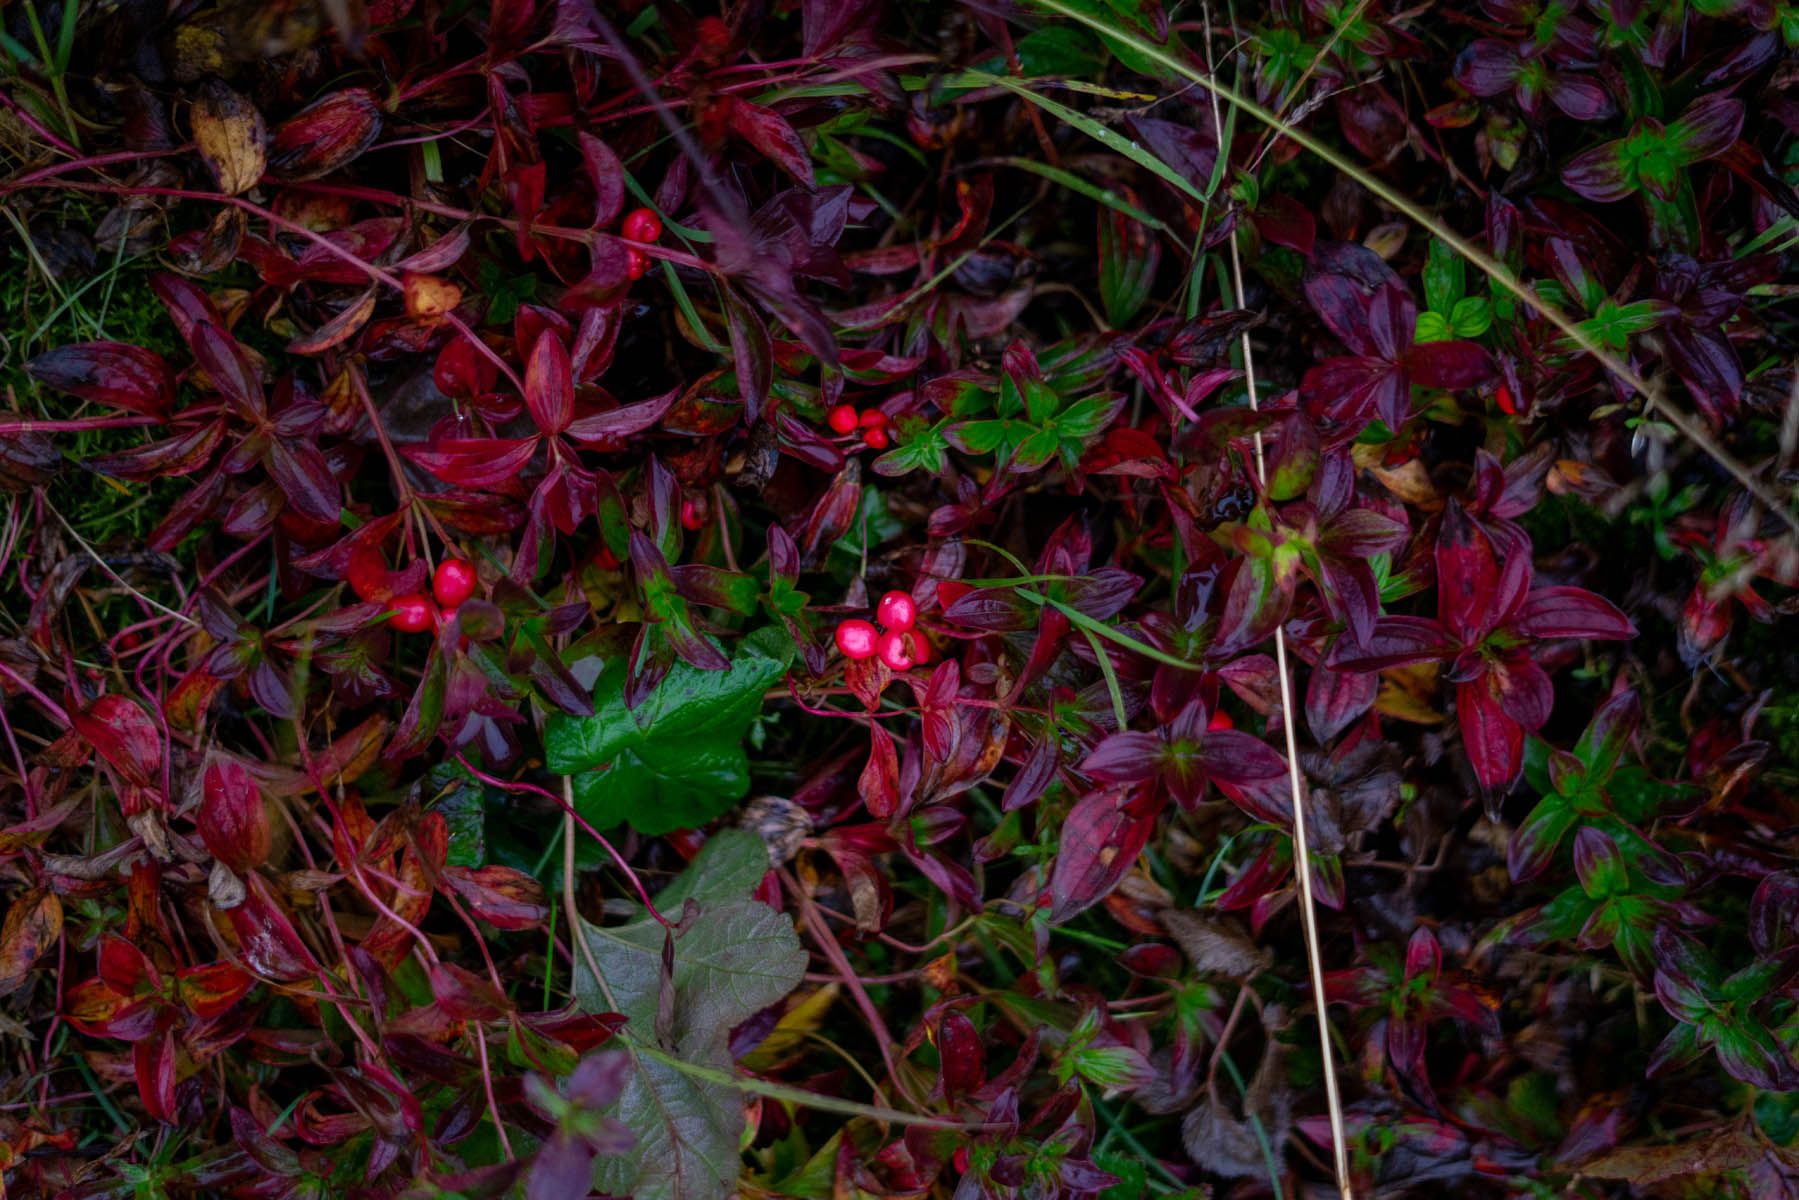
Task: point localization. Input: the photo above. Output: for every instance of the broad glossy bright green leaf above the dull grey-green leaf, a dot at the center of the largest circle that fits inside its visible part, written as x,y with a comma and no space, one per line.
677,760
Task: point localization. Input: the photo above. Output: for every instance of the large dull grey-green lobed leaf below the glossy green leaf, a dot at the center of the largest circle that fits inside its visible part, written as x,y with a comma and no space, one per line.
733,958
